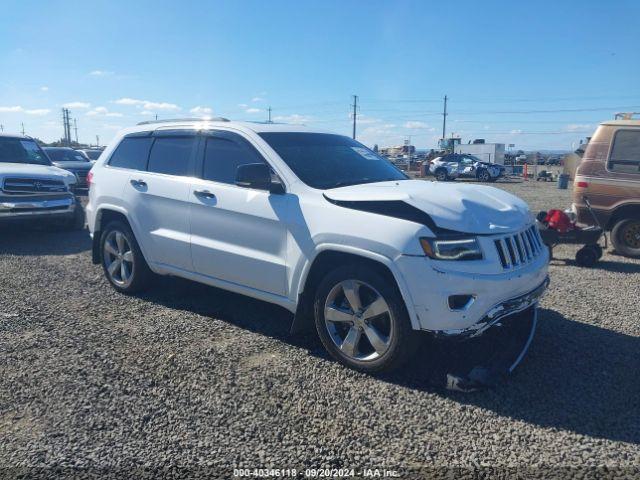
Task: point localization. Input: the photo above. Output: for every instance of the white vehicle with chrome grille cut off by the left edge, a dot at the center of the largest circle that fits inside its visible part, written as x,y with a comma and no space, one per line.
32,189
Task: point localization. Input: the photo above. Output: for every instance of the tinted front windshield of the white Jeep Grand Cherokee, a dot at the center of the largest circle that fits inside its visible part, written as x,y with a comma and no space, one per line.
328,161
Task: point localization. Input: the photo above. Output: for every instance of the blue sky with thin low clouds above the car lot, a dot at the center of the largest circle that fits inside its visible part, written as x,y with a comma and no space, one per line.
537,74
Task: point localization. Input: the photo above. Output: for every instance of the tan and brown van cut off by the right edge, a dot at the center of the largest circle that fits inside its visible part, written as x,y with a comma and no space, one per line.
609,176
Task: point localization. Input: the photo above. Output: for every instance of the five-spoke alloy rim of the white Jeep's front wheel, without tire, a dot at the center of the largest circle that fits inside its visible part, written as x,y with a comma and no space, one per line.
358,320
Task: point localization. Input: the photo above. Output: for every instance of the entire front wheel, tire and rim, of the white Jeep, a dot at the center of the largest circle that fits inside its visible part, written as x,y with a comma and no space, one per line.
362,321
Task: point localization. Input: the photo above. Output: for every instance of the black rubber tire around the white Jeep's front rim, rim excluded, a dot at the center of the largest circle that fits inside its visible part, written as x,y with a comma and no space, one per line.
403,339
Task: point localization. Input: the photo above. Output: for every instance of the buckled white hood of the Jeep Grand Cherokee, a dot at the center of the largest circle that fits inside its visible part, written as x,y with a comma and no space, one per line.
463,208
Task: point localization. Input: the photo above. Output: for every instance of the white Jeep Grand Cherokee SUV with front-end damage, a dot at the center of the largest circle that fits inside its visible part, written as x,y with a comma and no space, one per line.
316,223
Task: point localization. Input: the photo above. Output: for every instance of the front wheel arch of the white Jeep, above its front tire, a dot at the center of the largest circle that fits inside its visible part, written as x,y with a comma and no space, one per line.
331,256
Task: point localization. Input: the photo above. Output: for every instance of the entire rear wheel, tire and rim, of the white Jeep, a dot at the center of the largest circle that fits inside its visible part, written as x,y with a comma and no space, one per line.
121,258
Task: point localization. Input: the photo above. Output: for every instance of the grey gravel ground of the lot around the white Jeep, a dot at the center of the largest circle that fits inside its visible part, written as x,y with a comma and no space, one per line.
194,377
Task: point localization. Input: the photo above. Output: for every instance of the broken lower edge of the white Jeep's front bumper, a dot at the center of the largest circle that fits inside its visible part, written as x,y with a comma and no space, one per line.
497,313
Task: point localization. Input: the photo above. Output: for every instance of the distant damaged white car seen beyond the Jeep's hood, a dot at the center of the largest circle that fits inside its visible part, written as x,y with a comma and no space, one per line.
455,165
